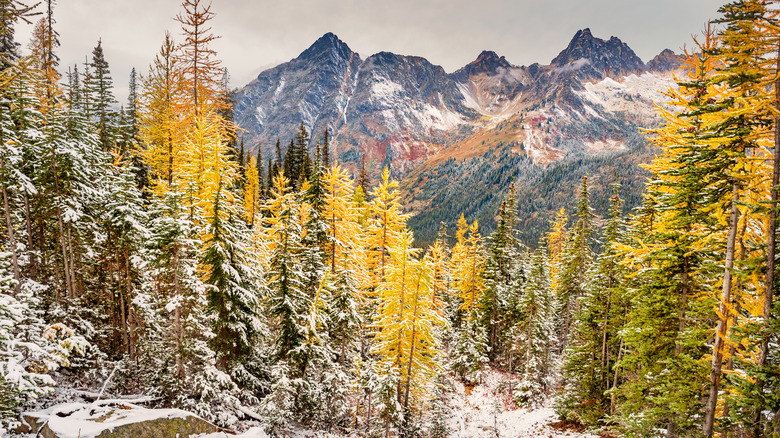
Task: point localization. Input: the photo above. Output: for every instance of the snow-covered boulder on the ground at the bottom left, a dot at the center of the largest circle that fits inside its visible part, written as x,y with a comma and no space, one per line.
113,419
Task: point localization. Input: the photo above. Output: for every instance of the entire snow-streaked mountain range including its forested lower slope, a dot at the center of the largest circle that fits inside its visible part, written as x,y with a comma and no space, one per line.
458,140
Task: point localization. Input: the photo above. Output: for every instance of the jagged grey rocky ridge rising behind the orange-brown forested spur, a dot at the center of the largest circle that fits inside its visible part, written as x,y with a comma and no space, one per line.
401,110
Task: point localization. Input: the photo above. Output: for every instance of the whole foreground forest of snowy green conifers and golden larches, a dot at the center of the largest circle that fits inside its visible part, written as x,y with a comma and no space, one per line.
148,256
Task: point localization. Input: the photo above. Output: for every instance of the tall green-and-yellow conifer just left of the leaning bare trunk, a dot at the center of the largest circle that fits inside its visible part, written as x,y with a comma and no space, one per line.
665,332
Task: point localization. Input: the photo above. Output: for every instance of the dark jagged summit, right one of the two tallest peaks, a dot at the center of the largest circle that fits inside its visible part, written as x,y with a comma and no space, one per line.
605,57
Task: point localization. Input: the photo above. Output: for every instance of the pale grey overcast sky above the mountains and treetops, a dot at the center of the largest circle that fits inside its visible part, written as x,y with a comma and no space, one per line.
259,34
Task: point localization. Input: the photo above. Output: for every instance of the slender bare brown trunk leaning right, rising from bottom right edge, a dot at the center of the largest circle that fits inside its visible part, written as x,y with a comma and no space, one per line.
720,334
